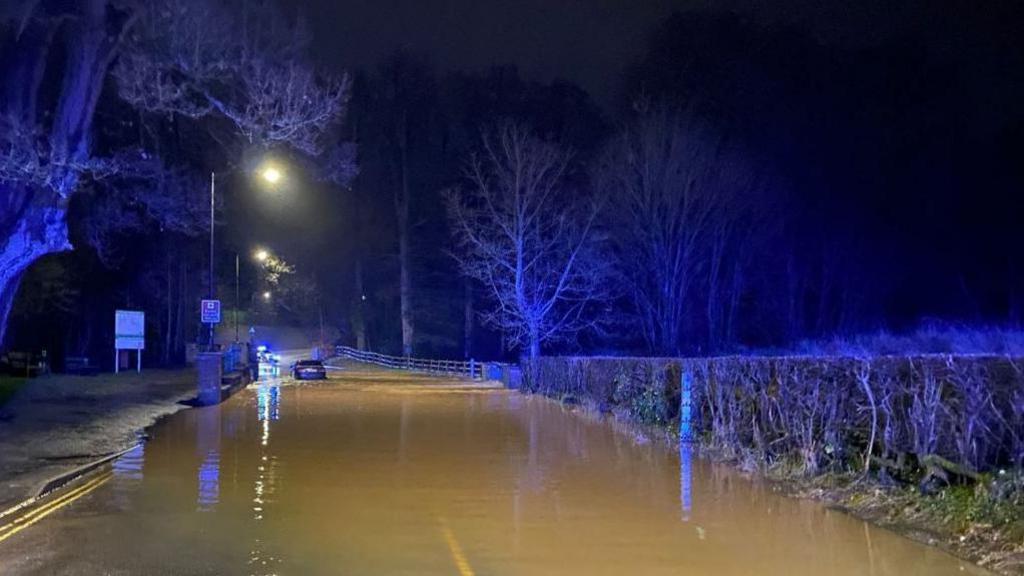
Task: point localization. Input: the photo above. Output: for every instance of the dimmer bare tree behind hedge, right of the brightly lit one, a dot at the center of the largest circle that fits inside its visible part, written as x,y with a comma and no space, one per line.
680,193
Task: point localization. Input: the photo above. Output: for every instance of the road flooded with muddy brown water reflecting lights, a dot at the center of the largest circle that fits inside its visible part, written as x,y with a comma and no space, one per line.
364,476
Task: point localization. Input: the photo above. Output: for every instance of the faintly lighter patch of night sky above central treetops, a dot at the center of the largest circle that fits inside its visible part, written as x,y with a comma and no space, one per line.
586,42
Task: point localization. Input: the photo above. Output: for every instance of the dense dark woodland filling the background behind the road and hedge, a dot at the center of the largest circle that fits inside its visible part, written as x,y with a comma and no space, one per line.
750,188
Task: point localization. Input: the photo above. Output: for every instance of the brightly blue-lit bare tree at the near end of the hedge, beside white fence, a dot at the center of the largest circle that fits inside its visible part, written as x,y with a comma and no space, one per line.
528,238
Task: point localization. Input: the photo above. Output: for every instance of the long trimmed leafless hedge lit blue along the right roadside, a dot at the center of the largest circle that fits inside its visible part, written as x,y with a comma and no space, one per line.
948,415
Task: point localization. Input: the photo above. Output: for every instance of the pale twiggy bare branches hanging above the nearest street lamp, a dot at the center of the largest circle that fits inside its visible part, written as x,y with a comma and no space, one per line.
197,59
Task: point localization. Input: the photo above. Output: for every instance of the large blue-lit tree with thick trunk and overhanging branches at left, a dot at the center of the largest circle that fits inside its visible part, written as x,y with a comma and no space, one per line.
234,64
